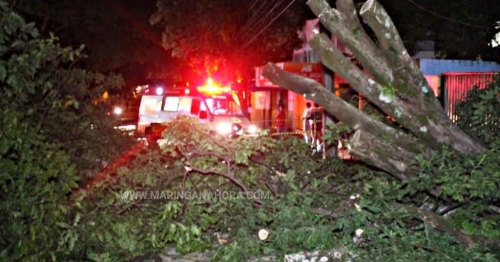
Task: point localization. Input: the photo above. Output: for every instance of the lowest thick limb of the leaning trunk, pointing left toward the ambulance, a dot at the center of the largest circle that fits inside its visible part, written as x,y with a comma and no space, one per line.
391,147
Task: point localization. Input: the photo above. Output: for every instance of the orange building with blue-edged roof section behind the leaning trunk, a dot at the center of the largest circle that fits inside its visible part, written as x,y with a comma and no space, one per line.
449,79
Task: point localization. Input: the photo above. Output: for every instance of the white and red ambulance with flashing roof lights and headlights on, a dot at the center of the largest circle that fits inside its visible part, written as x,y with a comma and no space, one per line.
213,105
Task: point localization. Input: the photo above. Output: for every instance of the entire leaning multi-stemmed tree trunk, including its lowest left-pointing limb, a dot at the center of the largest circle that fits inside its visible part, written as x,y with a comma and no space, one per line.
393,83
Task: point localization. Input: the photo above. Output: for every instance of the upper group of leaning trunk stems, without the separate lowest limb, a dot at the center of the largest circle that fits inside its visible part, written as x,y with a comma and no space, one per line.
397,87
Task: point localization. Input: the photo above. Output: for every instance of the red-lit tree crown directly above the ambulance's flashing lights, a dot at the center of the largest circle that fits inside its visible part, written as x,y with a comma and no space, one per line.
230,37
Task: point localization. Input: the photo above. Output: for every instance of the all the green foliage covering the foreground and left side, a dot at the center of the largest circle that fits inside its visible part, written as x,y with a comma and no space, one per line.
197,184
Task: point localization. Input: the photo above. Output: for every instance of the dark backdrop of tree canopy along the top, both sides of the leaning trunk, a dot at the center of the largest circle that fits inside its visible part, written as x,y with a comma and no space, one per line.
181,40
